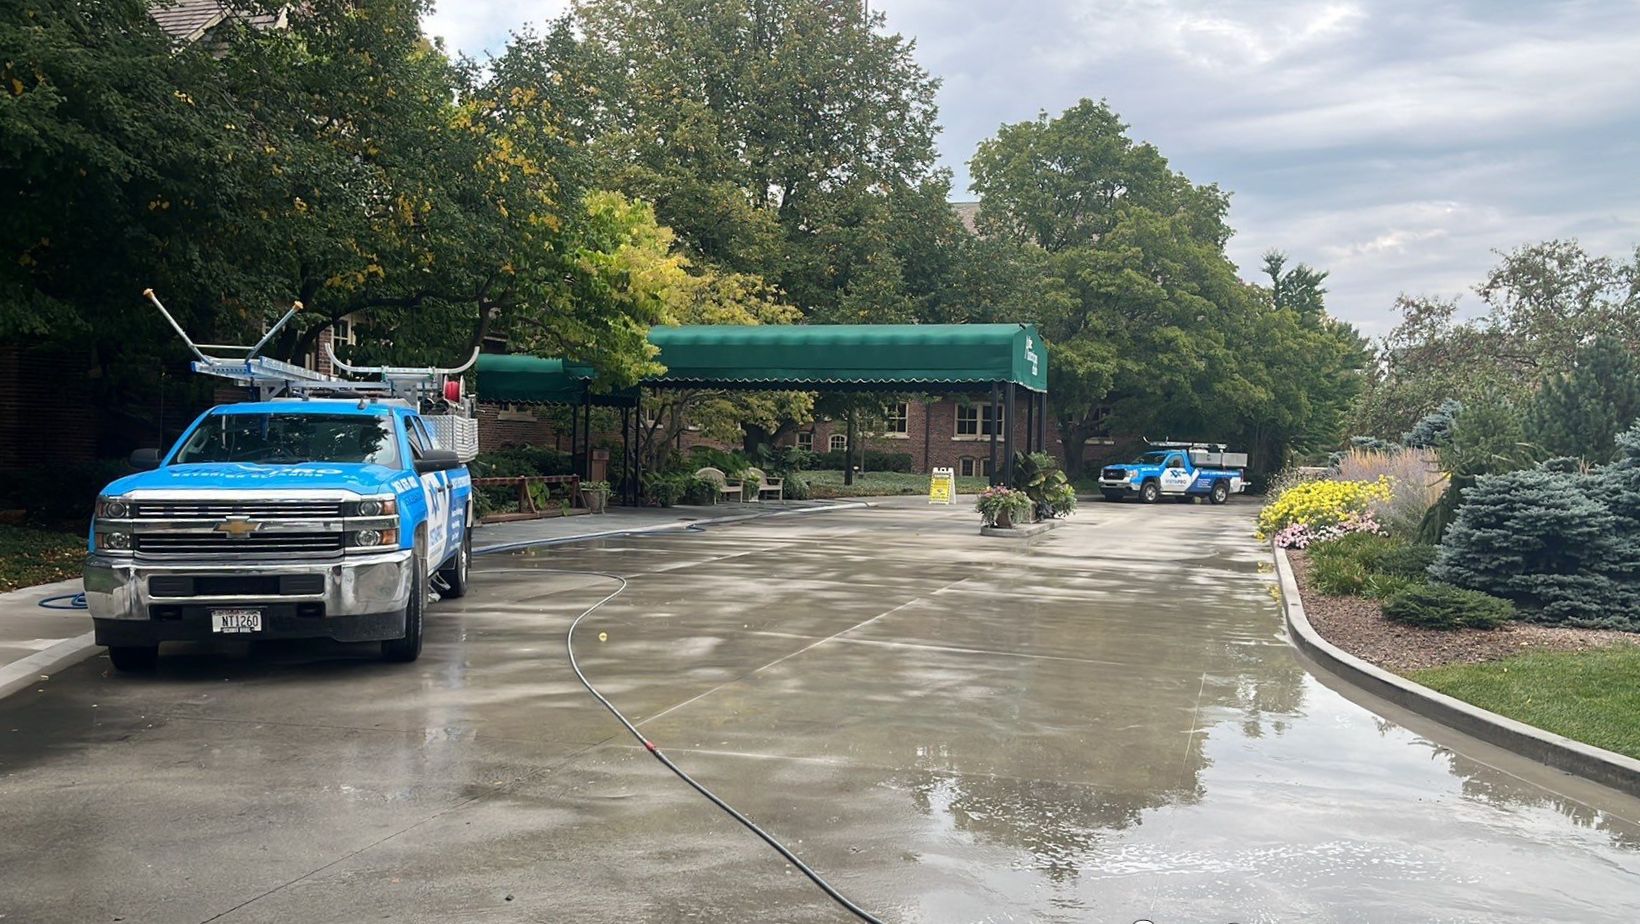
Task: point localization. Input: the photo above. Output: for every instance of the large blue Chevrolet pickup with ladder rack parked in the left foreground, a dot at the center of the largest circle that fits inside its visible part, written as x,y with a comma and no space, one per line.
330,510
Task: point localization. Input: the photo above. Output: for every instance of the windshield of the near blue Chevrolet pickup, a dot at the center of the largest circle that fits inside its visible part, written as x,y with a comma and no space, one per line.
288,439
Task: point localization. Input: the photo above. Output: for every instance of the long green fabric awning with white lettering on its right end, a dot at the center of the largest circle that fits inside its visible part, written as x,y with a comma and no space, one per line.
913,357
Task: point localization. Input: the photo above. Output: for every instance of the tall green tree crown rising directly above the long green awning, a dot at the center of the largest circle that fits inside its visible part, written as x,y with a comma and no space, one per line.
785,139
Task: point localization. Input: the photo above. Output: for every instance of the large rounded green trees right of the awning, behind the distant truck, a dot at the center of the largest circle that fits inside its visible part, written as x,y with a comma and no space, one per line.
1149,326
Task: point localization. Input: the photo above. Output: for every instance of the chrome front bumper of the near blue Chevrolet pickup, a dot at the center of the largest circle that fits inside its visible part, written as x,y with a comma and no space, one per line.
358,585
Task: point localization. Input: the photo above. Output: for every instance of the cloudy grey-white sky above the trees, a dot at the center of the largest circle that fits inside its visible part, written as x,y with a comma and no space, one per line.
1396,144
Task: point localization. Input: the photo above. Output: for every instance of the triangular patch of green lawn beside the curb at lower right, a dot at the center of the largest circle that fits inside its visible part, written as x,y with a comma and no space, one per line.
1592,697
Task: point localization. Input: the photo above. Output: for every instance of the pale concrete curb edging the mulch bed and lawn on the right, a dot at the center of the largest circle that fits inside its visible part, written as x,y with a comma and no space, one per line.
1560,752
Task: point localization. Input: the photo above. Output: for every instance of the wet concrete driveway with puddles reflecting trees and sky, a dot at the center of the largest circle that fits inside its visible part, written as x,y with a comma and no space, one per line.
1103,726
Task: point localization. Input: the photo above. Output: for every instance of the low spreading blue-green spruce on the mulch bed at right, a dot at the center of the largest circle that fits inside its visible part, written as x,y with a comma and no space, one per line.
1546,541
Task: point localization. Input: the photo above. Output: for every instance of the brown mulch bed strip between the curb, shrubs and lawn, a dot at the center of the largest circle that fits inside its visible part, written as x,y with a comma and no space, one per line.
1359,626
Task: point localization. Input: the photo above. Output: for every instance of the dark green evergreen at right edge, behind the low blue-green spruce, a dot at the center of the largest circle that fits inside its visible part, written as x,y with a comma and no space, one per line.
1582,414
